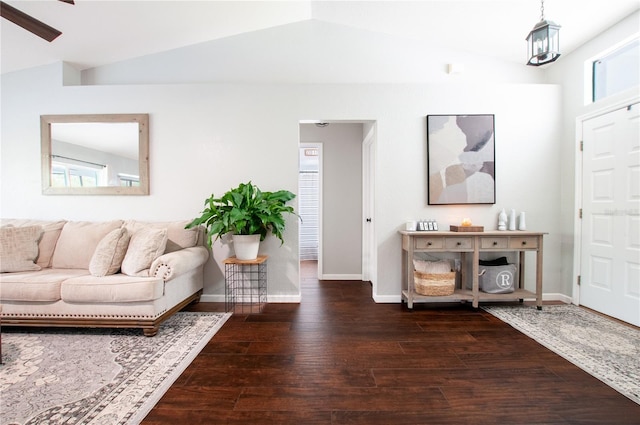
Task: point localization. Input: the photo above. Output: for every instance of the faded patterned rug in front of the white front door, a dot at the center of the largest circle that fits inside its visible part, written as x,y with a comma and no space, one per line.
604,348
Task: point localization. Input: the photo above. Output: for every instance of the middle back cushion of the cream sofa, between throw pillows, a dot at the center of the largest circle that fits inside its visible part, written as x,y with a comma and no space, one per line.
78,241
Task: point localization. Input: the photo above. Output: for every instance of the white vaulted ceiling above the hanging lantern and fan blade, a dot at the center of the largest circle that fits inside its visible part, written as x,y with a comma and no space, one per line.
97,32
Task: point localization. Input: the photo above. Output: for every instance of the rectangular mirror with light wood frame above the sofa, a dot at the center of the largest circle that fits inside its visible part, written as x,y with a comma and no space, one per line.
97,154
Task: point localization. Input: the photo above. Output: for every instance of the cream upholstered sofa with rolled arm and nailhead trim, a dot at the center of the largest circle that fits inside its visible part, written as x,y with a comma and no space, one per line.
98,274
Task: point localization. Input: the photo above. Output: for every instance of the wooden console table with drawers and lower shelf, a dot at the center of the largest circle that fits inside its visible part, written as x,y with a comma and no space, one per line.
472,243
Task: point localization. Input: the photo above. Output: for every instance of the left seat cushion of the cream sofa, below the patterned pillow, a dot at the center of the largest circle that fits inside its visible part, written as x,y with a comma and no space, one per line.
43,286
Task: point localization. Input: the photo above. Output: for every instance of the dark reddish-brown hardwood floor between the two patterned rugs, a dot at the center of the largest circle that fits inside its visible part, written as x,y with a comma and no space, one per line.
339,358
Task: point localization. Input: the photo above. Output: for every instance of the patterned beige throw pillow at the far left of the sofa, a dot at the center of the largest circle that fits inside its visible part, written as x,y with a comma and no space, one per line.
19,248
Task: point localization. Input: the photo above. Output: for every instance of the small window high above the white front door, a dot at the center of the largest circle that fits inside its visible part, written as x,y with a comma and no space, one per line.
616,71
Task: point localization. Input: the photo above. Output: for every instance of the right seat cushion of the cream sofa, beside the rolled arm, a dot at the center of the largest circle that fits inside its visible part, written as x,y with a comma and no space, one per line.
111,289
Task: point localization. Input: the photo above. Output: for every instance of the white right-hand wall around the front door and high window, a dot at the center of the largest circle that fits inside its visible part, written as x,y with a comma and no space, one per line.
569,72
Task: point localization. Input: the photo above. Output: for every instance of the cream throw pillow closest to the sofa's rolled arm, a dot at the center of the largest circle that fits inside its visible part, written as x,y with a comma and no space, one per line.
145,246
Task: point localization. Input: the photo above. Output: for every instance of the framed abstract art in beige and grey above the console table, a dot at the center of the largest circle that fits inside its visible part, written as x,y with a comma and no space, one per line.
461,159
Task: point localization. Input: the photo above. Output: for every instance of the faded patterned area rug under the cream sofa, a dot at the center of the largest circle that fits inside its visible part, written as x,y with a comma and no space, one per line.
96,376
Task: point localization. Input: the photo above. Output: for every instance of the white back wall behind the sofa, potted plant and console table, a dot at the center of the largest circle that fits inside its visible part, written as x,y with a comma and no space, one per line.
209,137
